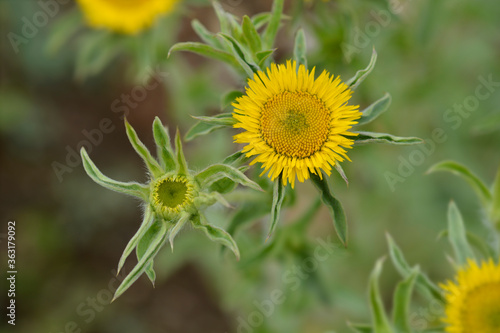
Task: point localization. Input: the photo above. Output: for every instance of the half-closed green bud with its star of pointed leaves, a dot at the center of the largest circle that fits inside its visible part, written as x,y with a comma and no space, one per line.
173,197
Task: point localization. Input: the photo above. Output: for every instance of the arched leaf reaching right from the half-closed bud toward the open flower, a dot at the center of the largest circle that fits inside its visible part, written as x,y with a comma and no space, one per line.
218,171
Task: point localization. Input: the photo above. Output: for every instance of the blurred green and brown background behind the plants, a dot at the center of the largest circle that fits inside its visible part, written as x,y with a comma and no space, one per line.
71,232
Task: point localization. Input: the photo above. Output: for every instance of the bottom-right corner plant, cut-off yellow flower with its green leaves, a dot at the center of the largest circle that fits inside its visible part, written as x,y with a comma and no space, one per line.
471,301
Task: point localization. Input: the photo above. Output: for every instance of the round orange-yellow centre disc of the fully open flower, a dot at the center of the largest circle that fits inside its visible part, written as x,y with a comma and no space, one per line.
295,124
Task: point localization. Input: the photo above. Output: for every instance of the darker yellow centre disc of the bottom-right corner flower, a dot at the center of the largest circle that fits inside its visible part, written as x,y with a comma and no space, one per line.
482,312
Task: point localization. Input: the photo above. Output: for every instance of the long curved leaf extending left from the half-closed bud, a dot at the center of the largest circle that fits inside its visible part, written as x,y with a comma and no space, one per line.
131,188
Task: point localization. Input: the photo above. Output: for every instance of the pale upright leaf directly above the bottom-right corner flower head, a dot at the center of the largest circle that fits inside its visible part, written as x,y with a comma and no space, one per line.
457,235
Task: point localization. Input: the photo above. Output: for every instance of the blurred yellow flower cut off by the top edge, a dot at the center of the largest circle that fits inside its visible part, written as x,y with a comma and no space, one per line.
124,16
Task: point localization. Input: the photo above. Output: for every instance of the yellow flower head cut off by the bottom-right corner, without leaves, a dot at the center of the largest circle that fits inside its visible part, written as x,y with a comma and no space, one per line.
473,302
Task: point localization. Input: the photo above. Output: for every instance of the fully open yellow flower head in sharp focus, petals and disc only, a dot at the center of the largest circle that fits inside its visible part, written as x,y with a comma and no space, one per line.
294,123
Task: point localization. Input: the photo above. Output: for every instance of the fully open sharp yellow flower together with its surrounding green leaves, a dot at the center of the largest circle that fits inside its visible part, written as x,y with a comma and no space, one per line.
296,125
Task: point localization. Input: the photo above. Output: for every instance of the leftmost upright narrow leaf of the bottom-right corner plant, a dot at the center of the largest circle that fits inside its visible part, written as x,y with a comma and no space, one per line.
379,316
